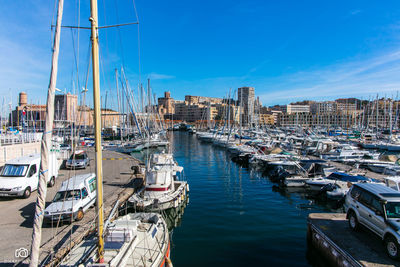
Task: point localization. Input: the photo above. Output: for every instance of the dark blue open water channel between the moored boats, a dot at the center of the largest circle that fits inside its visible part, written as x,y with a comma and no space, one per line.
236,217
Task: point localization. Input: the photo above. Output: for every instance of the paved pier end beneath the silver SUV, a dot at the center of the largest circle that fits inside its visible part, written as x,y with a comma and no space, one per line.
332,237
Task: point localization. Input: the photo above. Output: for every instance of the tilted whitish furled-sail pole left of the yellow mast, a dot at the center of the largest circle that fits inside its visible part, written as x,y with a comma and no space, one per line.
46,144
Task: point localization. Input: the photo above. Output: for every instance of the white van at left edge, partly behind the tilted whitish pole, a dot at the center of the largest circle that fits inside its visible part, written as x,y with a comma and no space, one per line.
20,176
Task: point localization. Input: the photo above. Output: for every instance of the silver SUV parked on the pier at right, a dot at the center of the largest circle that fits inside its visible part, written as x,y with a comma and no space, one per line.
376,207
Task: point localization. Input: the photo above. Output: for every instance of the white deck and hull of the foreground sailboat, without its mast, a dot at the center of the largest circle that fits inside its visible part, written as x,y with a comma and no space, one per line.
137,239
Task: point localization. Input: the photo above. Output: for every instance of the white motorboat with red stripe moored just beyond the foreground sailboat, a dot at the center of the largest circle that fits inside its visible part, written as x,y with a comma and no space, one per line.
162,190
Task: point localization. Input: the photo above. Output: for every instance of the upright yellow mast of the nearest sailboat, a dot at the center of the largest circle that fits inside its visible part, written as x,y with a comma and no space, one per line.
97,127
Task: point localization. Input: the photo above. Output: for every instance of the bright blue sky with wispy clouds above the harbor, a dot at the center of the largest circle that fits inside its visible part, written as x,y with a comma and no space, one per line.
287,50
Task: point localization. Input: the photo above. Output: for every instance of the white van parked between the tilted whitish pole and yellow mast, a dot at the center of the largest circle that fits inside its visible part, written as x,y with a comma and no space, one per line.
75,196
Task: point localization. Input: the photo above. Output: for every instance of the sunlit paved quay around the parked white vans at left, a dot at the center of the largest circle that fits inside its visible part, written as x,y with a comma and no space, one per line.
17,214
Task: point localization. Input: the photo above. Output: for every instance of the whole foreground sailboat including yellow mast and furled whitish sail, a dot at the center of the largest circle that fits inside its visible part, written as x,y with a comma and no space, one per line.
140,239
